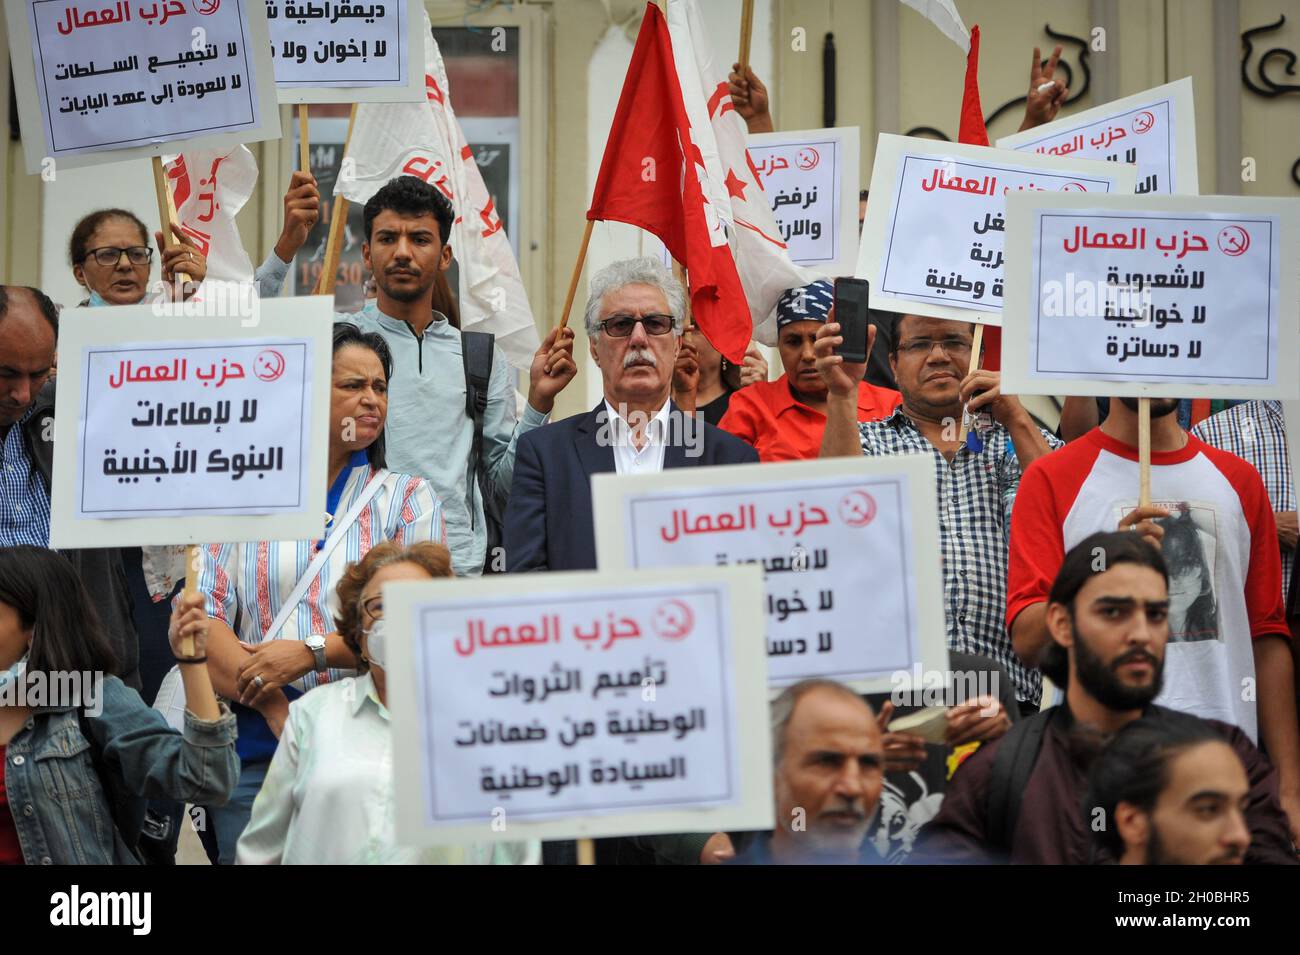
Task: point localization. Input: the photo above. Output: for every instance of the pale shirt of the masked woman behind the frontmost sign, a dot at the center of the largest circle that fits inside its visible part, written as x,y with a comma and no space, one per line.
328,797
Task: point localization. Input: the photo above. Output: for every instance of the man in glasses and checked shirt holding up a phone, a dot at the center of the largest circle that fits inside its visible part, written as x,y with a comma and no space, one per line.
977,481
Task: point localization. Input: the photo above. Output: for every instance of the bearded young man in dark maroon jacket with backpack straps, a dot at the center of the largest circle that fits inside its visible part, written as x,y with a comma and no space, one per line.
1021,798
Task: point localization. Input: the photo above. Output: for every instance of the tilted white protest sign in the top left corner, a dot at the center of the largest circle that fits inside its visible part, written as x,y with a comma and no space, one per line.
111,81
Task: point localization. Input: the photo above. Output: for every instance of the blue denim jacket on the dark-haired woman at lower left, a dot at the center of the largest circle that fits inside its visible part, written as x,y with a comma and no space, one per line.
57,798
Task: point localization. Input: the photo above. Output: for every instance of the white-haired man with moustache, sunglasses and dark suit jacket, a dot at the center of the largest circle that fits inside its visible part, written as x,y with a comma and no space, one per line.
634,323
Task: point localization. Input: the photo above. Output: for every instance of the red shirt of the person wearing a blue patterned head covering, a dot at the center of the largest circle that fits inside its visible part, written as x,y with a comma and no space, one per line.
785,429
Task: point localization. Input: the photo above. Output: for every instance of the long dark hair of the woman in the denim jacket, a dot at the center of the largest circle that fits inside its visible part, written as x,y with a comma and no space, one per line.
45,591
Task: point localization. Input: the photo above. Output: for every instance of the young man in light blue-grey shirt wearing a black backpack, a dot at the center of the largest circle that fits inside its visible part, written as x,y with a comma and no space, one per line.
430,429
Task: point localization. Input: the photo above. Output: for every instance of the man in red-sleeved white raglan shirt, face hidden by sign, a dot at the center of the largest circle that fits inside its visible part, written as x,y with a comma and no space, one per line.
1229,656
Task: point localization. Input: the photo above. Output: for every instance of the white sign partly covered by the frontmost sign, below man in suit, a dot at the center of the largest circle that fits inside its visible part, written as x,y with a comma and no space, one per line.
850,546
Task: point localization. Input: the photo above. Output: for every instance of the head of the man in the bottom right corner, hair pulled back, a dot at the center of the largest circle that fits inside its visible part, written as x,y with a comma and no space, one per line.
1171,796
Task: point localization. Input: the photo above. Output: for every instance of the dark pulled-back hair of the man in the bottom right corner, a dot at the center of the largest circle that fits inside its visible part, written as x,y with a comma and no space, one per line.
1134,770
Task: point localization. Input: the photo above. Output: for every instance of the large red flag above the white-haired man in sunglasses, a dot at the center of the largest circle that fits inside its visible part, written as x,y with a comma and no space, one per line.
651,179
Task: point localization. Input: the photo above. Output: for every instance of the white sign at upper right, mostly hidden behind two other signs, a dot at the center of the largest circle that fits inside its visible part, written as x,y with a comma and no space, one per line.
1155,131
